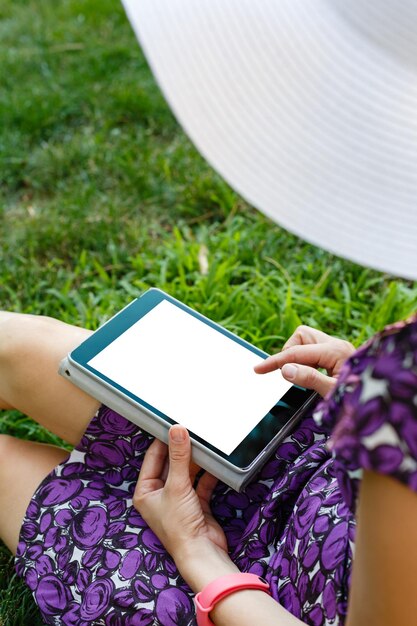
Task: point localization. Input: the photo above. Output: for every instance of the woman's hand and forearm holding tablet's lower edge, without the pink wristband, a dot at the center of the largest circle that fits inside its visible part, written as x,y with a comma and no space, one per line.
180,516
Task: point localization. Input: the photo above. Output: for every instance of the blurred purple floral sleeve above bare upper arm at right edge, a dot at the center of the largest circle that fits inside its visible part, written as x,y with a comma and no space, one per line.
373,411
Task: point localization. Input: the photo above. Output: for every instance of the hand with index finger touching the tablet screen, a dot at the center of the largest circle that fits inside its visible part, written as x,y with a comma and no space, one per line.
305,351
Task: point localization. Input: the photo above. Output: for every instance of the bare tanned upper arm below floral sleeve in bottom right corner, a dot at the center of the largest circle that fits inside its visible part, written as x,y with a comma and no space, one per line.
384,582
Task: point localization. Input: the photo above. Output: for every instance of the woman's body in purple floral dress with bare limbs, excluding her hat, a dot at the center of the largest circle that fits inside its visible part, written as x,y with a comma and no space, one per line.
86,546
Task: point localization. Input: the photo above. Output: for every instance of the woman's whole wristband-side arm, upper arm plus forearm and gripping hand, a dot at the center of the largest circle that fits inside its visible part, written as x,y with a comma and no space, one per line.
383,591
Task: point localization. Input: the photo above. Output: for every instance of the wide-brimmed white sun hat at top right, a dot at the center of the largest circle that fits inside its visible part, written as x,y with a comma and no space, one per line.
307,108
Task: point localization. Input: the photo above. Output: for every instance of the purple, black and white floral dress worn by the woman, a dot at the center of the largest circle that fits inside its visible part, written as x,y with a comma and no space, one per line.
89,558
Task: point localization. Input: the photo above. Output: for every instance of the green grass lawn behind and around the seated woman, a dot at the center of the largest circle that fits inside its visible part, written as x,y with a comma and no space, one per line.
103,196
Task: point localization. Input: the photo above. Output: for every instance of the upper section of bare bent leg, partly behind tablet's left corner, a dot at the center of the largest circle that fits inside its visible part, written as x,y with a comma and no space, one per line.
31,348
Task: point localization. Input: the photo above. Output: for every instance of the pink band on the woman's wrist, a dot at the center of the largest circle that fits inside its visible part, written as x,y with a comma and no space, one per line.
222,587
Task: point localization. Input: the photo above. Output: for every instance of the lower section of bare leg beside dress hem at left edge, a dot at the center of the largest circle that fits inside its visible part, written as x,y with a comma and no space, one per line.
23,466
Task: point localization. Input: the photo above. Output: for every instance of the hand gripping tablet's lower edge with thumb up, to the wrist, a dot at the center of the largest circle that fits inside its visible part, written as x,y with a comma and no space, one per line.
178,514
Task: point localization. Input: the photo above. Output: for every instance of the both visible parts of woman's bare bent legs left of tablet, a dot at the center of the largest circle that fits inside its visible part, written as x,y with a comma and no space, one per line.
31,348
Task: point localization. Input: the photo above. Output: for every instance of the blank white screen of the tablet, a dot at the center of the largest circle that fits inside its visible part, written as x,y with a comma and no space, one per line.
192,373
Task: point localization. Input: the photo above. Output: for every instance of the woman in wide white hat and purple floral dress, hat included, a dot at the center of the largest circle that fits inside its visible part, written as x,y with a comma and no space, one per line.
298,104
